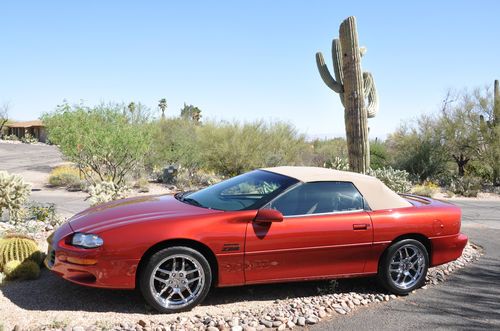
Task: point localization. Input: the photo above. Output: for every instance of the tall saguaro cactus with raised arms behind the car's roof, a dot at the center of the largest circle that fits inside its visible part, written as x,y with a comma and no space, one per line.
356,90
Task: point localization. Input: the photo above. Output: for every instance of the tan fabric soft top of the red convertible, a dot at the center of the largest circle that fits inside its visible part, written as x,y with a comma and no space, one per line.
373,190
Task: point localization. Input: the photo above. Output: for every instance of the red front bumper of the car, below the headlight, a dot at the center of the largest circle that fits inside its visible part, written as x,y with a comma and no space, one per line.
89,267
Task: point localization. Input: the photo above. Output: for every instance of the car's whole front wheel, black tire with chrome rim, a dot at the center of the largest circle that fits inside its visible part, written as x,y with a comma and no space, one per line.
173,256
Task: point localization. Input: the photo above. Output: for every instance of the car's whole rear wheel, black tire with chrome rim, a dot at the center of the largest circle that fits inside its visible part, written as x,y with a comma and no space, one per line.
396,258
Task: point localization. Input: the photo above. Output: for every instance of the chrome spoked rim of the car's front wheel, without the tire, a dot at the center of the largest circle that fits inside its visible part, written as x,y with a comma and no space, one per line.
177,281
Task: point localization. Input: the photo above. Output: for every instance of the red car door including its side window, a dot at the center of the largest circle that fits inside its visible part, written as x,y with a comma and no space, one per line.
326,232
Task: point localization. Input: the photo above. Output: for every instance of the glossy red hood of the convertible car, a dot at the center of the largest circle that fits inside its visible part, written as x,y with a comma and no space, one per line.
133,210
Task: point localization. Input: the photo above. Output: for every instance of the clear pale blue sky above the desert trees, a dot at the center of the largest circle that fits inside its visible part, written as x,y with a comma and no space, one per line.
242,60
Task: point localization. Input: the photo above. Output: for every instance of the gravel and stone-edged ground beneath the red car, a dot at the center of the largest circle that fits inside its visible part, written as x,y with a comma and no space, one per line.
51,303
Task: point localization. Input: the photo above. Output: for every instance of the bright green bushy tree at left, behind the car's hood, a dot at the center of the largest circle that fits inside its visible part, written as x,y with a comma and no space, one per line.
105,143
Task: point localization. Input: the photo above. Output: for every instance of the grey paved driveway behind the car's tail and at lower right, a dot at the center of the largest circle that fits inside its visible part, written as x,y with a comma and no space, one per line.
468,300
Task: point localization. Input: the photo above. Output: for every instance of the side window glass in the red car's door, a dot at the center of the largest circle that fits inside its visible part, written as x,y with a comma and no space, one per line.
318,198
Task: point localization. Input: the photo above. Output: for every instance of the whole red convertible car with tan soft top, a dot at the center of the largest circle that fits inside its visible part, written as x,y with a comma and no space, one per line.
269,225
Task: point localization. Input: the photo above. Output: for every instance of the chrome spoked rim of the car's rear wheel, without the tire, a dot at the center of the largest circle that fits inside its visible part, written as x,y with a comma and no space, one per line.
407,266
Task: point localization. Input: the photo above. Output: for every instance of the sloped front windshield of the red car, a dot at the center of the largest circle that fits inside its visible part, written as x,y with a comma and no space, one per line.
248,191
